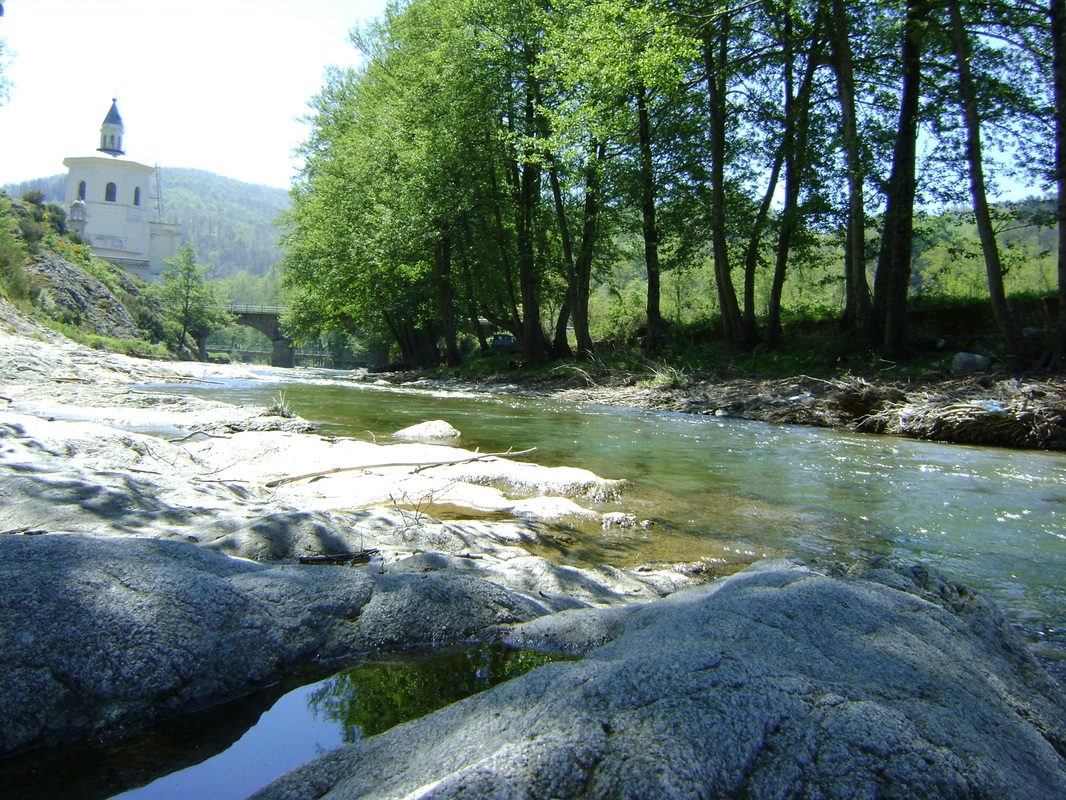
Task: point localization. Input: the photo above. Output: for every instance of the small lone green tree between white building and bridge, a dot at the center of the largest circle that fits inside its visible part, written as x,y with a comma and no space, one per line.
190,307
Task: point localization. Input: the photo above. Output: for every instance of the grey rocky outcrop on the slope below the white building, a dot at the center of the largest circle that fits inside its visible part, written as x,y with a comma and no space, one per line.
82,299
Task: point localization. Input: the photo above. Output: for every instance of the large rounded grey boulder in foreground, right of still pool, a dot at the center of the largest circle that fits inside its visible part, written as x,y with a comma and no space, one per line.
781,682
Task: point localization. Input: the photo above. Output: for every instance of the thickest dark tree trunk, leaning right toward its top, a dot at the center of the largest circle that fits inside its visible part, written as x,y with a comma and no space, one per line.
893,279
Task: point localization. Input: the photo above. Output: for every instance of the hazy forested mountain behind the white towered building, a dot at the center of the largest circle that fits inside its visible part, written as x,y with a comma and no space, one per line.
231,222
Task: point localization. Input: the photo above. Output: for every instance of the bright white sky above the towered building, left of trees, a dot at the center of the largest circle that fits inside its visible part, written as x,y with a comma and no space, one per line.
209,85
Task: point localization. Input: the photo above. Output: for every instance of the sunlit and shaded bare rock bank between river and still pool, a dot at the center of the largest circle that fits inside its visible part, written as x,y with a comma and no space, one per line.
147,538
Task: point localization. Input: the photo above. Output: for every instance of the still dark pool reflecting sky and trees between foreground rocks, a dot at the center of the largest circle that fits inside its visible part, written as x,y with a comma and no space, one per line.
230,754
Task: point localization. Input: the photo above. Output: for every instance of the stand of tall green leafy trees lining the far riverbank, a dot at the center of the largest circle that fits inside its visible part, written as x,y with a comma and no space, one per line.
509,162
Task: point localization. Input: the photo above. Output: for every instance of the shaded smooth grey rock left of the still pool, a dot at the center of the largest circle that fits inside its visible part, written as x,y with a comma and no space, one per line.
104,636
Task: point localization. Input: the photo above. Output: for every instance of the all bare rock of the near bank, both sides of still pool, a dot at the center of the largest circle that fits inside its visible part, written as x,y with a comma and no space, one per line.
153,564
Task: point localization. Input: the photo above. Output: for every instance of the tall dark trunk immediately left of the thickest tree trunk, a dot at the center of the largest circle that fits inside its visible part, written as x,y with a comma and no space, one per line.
859,310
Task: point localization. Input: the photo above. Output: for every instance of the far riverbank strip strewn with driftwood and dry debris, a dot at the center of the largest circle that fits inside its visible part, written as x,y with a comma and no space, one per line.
970,409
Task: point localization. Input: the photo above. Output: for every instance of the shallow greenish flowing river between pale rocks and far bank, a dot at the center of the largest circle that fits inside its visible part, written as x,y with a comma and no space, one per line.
729,492
